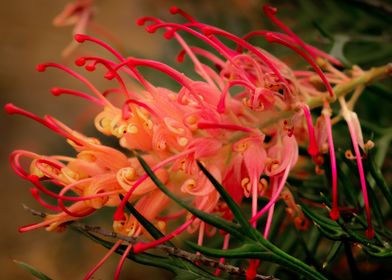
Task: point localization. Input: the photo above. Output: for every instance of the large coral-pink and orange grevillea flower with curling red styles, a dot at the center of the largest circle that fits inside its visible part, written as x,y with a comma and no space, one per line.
228,132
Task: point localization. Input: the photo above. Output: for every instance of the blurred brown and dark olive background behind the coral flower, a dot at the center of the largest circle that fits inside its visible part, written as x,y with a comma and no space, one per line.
357,32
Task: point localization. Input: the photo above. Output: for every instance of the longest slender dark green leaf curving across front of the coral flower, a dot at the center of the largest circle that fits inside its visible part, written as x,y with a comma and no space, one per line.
218,222
